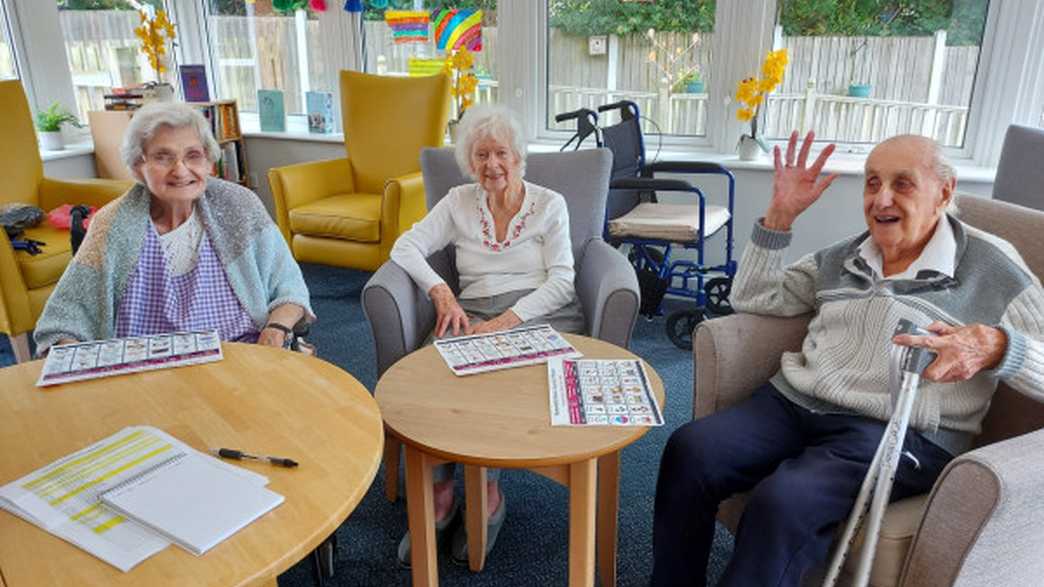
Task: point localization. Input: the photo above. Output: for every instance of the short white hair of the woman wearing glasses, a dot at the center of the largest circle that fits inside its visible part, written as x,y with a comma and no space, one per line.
157,115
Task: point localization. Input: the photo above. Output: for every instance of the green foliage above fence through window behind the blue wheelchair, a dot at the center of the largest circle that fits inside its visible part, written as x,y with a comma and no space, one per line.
618,17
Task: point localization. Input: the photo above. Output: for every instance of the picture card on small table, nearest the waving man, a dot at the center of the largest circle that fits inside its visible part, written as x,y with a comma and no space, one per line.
602,393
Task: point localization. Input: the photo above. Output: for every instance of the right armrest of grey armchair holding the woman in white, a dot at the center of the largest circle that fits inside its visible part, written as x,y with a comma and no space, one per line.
608,291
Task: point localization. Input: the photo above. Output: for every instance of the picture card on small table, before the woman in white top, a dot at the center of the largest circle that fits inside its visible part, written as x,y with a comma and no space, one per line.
479,354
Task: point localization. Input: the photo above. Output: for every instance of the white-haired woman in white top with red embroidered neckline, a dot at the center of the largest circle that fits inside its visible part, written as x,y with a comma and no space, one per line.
514,260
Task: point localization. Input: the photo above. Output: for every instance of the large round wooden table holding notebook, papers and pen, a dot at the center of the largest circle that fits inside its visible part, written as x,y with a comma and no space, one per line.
259,400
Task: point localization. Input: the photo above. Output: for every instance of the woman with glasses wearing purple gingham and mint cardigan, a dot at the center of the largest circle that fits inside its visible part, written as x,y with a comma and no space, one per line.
180,251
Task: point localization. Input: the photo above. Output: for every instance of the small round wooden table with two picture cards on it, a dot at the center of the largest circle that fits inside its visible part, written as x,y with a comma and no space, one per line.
502,419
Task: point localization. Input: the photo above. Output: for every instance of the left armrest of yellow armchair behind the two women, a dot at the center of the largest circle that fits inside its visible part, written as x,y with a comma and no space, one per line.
304,183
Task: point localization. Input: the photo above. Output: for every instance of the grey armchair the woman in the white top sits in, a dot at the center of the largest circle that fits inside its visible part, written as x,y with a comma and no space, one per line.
401,316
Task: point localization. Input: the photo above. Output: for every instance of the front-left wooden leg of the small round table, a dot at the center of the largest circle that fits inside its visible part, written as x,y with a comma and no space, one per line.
421,512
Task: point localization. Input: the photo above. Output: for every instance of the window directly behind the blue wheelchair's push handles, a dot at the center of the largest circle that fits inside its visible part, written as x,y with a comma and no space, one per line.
656,55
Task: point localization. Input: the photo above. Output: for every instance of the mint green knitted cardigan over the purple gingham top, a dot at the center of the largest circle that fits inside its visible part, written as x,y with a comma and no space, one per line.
256,259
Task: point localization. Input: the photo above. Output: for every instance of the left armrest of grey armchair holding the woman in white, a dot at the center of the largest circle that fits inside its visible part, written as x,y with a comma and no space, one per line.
400,315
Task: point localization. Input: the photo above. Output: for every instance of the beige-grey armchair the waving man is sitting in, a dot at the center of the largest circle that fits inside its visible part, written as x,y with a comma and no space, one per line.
982,524
